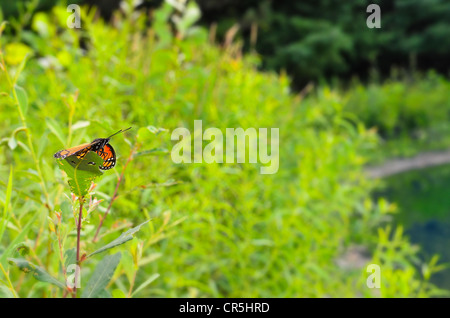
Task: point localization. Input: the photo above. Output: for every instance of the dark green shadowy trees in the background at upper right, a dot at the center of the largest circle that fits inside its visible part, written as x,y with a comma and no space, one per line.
321,39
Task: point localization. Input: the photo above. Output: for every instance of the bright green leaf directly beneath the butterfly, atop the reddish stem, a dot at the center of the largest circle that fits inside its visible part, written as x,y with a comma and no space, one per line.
81,172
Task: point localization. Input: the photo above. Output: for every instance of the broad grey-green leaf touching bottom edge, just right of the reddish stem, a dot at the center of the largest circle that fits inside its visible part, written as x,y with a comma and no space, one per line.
101,276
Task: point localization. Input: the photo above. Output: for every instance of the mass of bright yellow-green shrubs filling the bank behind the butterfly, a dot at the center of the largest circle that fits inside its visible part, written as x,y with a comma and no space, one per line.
218,230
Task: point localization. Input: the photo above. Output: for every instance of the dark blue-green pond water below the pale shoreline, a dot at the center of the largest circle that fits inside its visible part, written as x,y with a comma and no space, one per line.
423,199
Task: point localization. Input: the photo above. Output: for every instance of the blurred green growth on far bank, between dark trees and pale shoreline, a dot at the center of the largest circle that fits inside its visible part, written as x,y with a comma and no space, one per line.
410,115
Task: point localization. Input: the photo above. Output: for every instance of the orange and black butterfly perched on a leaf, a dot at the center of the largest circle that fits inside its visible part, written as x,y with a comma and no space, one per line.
100,145
